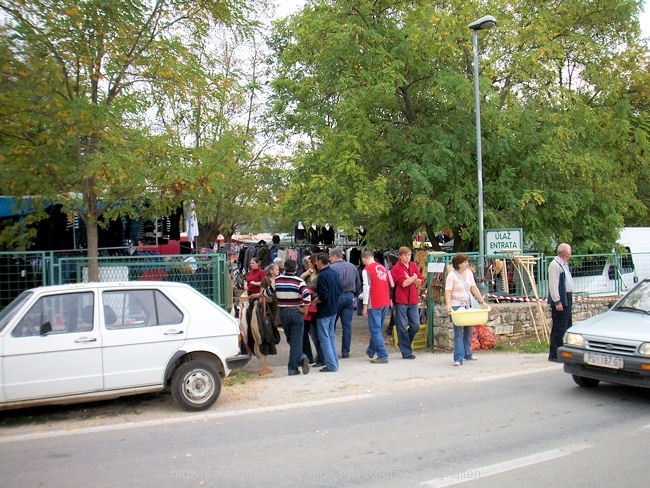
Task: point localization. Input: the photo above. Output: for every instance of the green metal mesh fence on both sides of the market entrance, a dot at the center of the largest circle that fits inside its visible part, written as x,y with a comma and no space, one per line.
594,274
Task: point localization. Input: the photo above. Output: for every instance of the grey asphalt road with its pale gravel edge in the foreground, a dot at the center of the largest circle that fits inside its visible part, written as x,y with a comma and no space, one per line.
505,420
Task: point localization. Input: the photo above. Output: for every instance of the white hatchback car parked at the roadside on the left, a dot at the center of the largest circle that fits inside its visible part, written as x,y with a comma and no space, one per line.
92,341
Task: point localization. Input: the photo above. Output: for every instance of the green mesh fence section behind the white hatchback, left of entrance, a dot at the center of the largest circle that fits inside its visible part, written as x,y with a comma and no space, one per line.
208,273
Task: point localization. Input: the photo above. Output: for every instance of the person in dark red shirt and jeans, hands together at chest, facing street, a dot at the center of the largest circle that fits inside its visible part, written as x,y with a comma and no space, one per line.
407,278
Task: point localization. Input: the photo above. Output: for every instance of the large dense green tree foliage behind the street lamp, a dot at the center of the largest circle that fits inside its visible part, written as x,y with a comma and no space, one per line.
382,94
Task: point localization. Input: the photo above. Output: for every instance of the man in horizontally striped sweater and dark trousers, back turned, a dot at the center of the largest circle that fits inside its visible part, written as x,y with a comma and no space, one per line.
293,299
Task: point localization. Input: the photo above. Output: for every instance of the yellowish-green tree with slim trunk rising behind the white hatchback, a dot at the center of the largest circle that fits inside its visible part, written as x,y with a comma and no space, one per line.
76,121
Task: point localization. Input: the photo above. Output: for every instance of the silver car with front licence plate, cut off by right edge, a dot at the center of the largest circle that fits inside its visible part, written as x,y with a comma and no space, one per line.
613,346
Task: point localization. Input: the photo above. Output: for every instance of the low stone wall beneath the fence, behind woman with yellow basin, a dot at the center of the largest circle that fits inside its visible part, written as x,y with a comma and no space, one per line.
513,321
